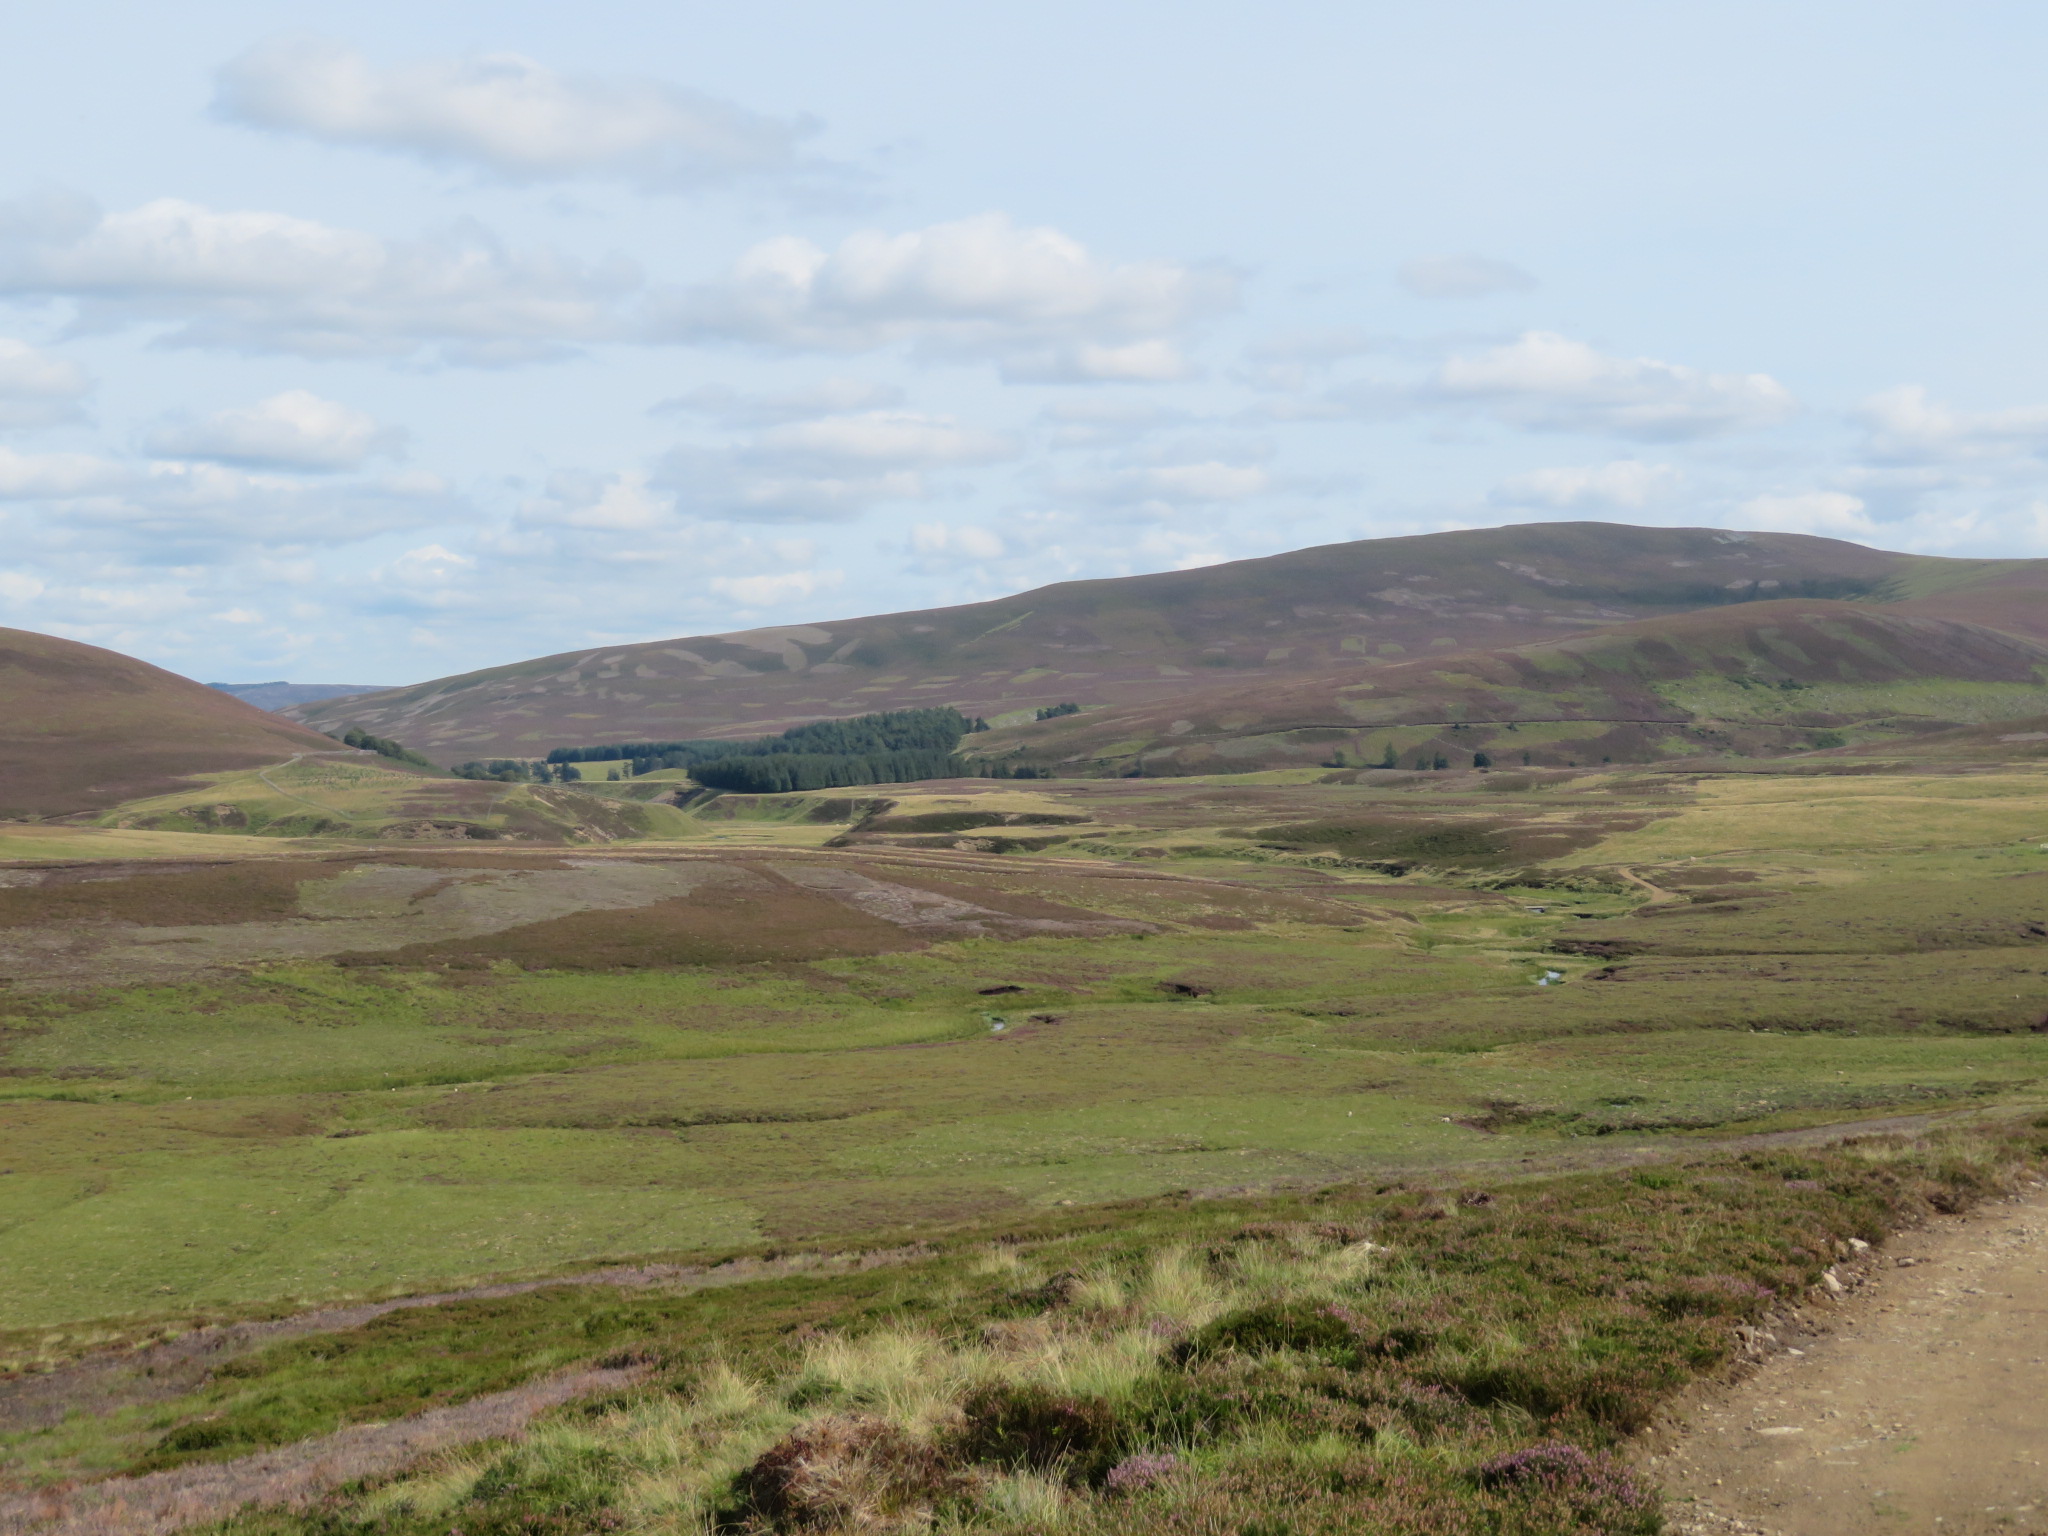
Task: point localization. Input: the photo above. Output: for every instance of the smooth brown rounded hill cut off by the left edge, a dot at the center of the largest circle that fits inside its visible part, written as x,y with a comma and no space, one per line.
83,728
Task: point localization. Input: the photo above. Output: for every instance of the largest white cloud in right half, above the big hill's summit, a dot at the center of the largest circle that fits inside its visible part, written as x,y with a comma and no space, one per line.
1553,384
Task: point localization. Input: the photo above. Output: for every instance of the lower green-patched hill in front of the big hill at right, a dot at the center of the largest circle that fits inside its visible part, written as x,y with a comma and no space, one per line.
1754,679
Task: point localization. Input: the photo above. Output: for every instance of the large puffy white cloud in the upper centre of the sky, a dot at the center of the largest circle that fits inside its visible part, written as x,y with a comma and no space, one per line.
976,286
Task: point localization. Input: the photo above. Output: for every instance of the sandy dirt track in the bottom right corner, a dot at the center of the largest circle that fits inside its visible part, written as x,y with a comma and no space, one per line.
1918,1402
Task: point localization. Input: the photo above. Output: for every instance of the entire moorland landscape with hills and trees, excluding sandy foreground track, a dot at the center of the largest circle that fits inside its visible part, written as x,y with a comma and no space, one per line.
1361,1035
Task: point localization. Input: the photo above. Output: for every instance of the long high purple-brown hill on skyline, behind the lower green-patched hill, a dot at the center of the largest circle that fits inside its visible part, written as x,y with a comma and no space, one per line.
1144,640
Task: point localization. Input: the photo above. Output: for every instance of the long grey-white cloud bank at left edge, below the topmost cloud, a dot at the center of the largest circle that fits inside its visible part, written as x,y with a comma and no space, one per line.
255,282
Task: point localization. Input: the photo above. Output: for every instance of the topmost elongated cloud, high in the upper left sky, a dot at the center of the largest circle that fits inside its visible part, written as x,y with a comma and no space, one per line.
505,114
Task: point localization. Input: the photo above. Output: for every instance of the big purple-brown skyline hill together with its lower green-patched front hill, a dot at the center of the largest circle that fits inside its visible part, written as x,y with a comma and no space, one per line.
1551,626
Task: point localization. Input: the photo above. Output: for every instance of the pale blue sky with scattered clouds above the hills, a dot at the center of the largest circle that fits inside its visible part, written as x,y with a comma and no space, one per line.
382,343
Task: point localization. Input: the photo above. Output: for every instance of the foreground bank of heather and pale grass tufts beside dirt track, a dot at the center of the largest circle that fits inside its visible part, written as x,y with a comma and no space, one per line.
1394,1361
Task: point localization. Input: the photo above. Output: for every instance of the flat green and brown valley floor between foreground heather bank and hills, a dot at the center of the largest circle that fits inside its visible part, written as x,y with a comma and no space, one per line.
347,1074
